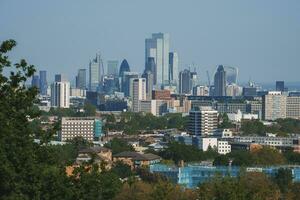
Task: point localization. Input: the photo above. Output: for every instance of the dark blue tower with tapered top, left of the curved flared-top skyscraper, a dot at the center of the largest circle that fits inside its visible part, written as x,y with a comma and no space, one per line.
220,82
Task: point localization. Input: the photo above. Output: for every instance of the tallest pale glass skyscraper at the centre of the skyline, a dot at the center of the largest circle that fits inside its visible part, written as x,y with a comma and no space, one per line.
157,47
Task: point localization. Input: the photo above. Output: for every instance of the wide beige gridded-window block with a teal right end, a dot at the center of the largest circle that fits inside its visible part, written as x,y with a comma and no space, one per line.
88,128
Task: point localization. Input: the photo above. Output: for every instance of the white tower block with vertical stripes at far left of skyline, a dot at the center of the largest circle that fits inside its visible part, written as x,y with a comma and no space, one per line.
60,94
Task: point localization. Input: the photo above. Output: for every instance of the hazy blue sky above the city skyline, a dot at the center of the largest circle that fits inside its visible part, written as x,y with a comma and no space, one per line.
260,37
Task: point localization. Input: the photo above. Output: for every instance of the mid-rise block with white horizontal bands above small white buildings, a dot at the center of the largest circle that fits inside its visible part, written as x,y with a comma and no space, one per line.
203,121
